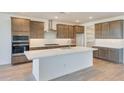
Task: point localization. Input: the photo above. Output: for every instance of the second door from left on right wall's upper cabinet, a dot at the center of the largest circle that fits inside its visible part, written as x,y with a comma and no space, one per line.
105,30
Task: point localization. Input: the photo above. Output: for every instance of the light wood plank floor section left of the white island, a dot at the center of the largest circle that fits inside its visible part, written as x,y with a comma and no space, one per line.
16,72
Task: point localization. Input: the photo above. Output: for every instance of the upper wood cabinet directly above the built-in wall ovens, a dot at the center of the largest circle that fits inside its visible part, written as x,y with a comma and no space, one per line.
20,26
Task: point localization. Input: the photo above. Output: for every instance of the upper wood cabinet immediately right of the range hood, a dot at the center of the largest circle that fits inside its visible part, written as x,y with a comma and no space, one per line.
65,31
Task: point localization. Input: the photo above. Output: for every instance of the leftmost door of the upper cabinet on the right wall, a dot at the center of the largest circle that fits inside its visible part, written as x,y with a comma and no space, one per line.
98,31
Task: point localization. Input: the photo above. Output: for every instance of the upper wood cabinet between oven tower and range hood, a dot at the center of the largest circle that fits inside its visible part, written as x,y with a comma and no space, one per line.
37,29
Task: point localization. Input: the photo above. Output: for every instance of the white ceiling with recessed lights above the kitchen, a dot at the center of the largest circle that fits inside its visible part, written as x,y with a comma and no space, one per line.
83,17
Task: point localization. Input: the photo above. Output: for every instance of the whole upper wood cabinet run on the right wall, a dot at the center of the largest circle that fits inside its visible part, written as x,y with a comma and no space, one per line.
109,30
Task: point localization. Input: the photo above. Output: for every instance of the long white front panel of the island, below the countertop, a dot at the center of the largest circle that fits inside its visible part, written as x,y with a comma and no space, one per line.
56,66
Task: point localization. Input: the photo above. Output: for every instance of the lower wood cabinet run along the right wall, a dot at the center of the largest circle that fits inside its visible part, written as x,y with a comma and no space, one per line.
110,54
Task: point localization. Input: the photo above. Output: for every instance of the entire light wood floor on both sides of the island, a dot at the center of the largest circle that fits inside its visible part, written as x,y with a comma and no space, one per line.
102,70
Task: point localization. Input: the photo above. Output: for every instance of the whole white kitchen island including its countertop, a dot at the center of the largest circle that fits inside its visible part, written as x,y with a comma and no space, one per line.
52,63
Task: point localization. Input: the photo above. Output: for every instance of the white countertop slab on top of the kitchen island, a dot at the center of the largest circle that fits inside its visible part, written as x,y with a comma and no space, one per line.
34,54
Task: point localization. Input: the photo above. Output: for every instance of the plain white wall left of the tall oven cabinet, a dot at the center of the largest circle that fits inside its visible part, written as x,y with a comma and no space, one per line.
5,39
